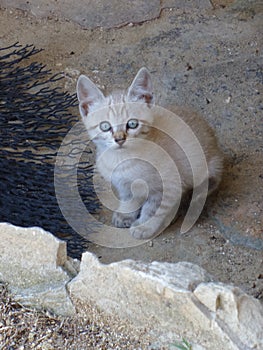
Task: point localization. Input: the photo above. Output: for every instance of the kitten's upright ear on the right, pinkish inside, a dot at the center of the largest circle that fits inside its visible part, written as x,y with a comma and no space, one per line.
141,87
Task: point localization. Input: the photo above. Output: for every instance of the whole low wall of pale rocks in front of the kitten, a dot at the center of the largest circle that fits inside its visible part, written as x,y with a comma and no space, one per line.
168,300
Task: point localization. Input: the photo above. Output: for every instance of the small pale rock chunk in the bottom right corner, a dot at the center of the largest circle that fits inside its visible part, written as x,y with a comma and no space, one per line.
239,315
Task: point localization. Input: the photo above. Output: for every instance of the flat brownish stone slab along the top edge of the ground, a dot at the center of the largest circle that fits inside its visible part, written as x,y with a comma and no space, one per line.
101,13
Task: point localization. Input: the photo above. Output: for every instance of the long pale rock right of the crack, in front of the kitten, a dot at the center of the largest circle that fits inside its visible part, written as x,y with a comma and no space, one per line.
169,300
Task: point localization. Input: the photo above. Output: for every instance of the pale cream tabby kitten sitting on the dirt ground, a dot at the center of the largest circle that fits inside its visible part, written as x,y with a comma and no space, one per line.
138,144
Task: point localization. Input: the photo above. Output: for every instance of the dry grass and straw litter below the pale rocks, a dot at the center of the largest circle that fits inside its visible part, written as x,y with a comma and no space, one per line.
21,329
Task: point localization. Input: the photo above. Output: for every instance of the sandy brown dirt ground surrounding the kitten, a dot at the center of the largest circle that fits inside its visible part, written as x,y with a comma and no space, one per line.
208,58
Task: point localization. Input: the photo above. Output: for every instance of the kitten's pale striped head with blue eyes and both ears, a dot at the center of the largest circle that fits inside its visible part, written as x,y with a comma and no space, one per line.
119,118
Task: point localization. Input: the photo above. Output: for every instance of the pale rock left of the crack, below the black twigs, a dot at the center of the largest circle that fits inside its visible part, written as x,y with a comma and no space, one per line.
35,265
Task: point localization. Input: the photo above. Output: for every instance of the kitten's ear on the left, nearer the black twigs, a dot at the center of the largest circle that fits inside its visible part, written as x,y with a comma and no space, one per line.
88,95
